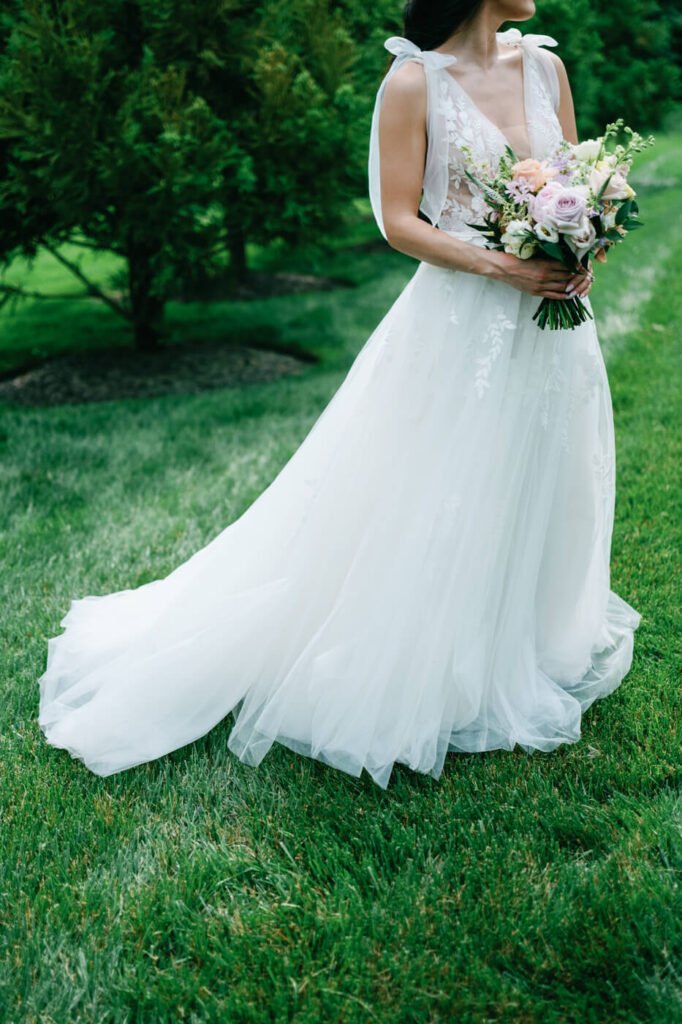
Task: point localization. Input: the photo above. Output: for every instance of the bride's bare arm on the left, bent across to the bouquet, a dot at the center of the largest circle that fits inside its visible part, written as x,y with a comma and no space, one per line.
403,155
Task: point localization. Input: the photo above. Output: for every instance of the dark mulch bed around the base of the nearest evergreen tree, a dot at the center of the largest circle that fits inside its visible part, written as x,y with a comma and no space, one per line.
112,374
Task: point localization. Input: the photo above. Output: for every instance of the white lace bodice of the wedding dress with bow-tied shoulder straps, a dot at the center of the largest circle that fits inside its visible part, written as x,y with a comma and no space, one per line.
450,199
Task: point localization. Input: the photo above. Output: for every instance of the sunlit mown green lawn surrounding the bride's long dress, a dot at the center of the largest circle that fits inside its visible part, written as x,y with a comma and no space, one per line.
518,889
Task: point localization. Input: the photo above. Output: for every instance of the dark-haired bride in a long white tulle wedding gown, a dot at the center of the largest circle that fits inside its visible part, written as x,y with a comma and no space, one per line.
431,570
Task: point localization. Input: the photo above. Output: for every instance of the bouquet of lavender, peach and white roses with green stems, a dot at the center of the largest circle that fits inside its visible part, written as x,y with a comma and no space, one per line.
573,206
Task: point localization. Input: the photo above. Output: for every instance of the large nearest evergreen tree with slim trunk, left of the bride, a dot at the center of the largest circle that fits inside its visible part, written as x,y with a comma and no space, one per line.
168,131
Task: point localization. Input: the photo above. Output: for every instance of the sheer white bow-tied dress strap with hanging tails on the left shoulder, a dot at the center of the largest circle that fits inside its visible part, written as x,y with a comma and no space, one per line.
436,172
